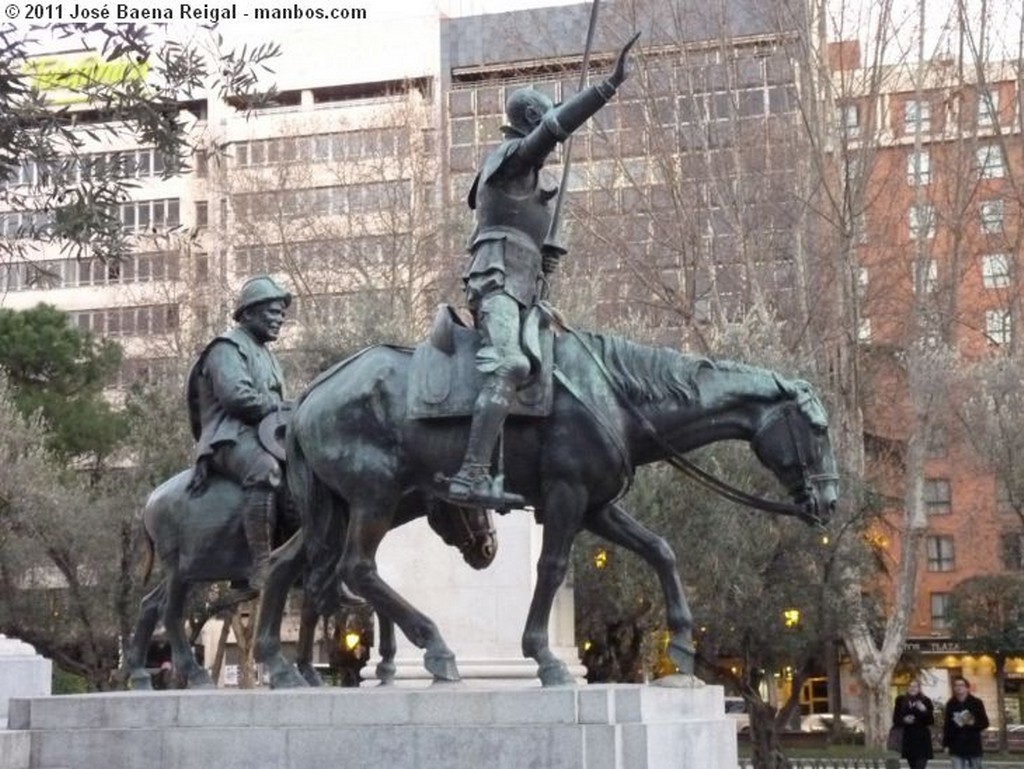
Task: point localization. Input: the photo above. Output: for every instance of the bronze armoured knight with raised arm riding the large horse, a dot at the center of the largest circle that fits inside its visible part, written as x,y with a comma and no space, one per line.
504,416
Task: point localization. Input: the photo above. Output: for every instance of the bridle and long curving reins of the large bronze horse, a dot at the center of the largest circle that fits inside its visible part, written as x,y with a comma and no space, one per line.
807,511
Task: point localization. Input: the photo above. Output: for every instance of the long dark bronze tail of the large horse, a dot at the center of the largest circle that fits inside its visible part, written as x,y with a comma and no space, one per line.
324,518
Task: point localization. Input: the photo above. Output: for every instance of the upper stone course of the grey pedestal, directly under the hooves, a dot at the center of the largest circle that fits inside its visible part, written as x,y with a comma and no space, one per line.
371,706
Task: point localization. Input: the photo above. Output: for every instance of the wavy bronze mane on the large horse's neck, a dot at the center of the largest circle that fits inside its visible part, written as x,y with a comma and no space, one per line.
647,374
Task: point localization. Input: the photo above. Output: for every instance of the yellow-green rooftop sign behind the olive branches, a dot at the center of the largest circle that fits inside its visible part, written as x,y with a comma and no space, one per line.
69,78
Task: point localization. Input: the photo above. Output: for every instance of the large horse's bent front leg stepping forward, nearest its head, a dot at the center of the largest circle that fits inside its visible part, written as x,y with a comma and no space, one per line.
619,528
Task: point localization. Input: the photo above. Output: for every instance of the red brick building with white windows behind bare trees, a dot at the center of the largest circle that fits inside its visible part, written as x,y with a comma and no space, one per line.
941,158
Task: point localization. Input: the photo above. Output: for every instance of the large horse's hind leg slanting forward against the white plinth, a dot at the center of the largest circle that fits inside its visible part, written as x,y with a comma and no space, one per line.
369,522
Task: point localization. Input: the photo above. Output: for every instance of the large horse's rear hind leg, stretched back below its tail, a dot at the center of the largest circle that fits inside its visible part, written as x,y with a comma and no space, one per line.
286,566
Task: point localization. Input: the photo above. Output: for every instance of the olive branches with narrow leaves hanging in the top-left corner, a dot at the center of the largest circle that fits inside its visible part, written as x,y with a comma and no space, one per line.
140,91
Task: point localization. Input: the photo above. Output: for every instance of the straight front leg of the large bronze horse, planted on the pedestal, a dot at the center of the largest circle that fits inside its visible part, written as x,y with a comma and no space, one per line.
564,510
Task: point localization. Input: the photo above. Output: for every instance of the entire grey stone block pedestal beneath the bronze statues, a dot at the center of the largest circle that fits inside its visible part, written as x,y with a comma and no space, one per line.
450,728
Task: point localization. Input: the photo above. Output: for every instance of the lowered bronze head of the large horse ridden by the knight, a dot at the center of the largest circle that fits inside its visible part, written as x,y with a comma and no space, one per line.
793,443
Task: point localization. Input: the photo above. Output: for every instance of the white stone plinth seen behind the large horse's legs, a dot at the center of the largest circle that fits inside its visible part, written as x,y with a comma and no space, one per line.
482,615
